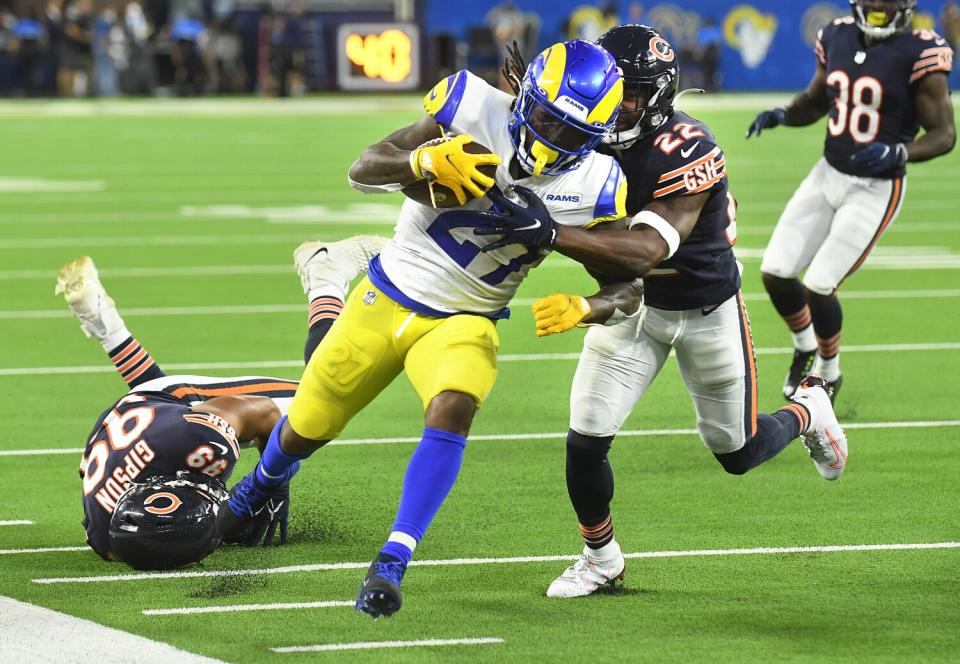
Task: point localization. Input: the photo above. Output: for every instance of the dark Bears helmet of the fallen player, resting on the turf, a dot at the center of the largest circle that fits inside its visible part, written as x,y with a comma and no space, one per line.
167,521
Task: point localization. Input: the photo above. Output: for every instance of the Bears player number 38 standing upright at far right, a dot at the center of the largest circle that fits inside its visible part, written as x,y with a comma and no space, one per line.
879,82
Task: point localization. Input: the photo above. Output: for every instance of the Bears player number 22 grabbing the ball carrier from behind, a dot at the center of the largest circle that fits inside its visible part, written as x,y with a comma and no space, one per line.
682,226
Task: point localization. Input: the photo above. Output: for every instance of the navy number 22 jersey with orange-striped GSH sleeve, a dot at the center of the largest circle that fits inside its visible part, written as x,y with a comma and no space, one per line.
680,159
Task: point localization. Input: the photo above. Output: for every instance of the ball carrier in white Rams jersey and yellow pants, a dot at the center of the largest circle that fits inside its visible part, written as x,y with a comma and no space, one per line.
431,299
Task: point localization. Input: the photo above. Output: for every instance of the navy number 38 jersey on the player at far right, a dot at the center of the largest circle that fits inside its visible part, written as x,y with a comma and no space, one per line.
871,88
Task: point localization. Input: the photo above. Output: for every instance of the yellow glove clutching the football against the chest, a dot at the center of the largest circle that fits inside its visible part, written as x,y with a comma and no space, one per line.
443,160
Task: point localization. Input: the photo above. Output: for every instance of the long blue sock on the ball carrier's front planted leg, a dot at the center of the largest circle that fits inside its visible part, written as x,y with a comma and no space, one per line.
432,470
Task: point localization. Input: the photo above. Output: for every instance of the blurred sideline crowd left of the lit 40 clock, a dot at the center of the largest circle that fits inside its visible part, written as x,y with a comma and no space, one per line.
104,48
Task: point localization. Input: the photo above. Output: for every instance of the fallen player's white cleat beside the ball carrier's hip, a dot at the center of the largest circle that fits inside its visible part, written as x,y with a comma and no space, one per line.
321,264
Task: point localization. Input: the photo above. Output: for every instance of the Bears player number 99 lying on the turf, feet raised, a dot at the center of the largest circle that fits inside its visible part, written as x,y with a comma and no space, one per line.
174,440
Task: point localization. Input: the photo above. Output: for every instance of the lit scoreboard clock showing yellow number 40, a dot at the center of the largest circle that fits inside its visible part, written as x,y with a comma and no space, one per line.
378,56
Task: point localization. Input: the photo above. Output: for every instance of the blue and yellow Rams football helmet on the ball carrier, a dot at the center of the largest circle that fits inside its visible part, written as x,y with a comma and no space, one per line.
568,103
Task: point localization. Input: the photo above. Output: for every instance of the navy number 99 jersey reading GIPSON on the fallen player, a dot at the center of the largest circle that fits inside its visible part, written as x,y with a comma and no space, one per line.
145,434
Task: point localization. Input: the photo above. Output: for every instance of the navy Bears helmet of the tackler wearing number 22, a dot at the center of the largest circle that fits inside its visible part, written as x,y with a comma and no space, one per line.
651,71
